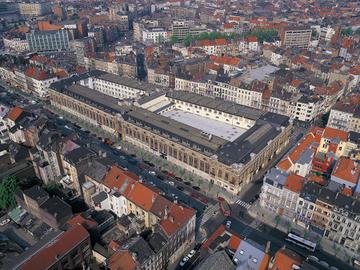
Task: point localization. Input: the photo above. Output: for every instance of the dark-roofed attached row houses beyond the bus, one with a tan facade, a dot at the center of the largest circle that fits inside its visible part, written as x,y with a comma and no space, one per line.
331,214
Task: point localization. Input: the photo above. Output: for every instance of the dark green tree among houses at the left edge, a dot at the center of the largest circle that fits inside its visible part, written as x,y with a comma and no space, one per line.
8,187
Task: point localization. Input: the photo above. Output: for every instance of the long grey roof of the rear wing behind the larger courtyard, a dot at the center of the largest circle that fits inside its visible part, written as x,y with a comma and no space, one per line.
216,104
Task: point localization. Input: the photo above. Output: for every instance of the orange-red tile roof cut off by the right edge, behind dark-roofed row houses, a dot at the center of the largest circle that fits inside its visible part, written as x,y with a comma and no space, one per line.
347,169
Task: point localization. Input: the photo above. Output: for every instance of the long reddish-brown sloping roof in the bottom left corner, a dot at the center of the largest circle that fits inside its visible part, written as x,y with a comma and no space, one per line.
47,256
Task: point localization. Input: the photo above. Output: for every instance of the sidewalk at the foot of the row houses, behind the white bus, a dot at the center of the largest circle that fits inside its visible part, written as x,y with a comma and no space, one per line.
286,226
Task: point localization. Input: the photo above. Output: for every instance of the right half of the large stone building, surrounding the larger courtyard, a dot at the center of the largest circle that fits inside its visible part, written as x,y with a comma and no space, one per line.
229,152
